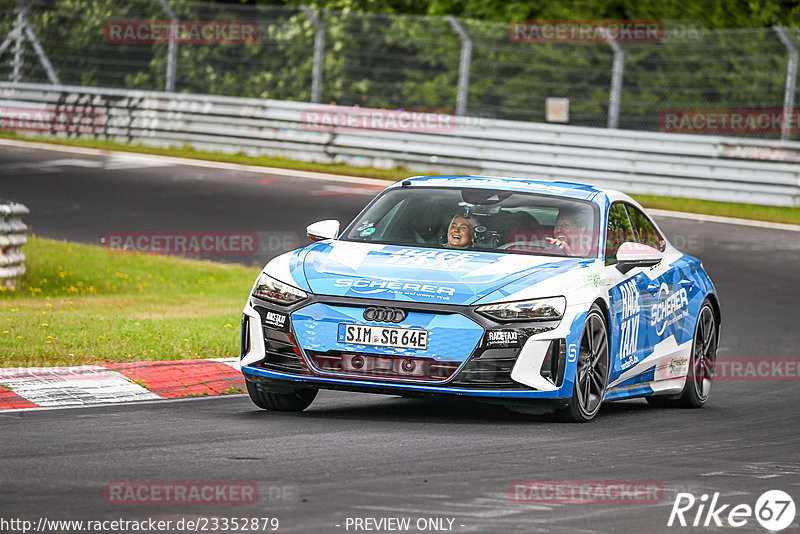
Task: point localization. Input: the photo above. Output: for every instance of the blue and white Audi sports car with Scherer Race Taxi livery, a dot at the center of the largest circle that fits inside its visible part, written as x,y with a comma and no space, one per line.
540,296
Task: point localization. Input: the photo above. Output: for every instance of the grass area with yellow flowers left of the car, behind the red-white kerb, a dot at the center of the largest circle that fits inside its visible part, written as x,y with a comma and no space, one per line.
83,304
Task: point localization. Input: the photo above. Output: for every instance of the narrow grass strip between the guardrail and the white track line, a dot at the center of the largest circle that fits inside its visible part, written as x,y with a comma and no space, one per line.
707,207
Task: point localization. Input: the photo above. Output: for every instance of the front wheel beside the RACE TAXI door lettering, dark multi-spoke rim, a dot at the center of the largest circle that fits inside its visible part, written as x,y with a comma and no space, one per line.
591,370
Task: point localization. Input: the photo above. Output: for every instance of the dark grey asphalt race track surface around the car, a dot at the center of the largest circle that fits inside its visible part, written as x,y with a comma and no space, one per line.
360,456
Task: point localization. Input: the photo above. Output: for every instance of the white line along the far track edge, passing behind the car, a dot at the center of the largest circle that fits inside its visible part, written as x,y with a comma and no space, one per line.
170,160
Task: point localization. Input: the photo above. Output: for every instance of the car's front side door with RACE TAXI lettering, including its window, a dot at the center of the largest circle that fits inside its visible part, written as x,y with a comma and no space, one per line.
628,296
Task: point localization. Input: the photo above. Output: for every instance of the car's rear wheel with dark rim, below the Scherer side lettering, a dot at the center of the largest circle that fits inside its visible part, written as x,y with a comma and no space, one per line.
701,364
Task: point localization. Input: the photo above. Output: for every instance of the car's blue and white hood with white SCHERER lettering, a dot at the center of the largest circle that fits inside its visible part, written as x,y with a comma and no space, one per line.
412,274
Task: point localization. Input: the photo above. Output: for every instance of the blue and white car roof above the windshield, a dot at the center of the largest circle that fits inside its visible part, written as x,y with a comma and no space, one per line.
555,188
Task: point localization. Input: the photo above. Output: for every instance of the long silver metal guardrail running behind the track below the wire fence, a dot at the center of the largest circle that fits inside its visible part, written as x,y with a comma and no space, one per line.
693,166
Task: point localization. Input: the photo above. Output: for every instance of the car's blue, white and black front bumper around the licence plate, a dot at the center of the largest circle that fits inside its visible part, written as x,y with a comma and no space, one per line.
283,353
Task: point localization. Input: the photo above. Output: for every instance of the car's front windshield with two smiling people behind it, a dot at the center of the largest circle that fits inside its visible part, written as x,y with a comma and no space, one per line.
479,219
